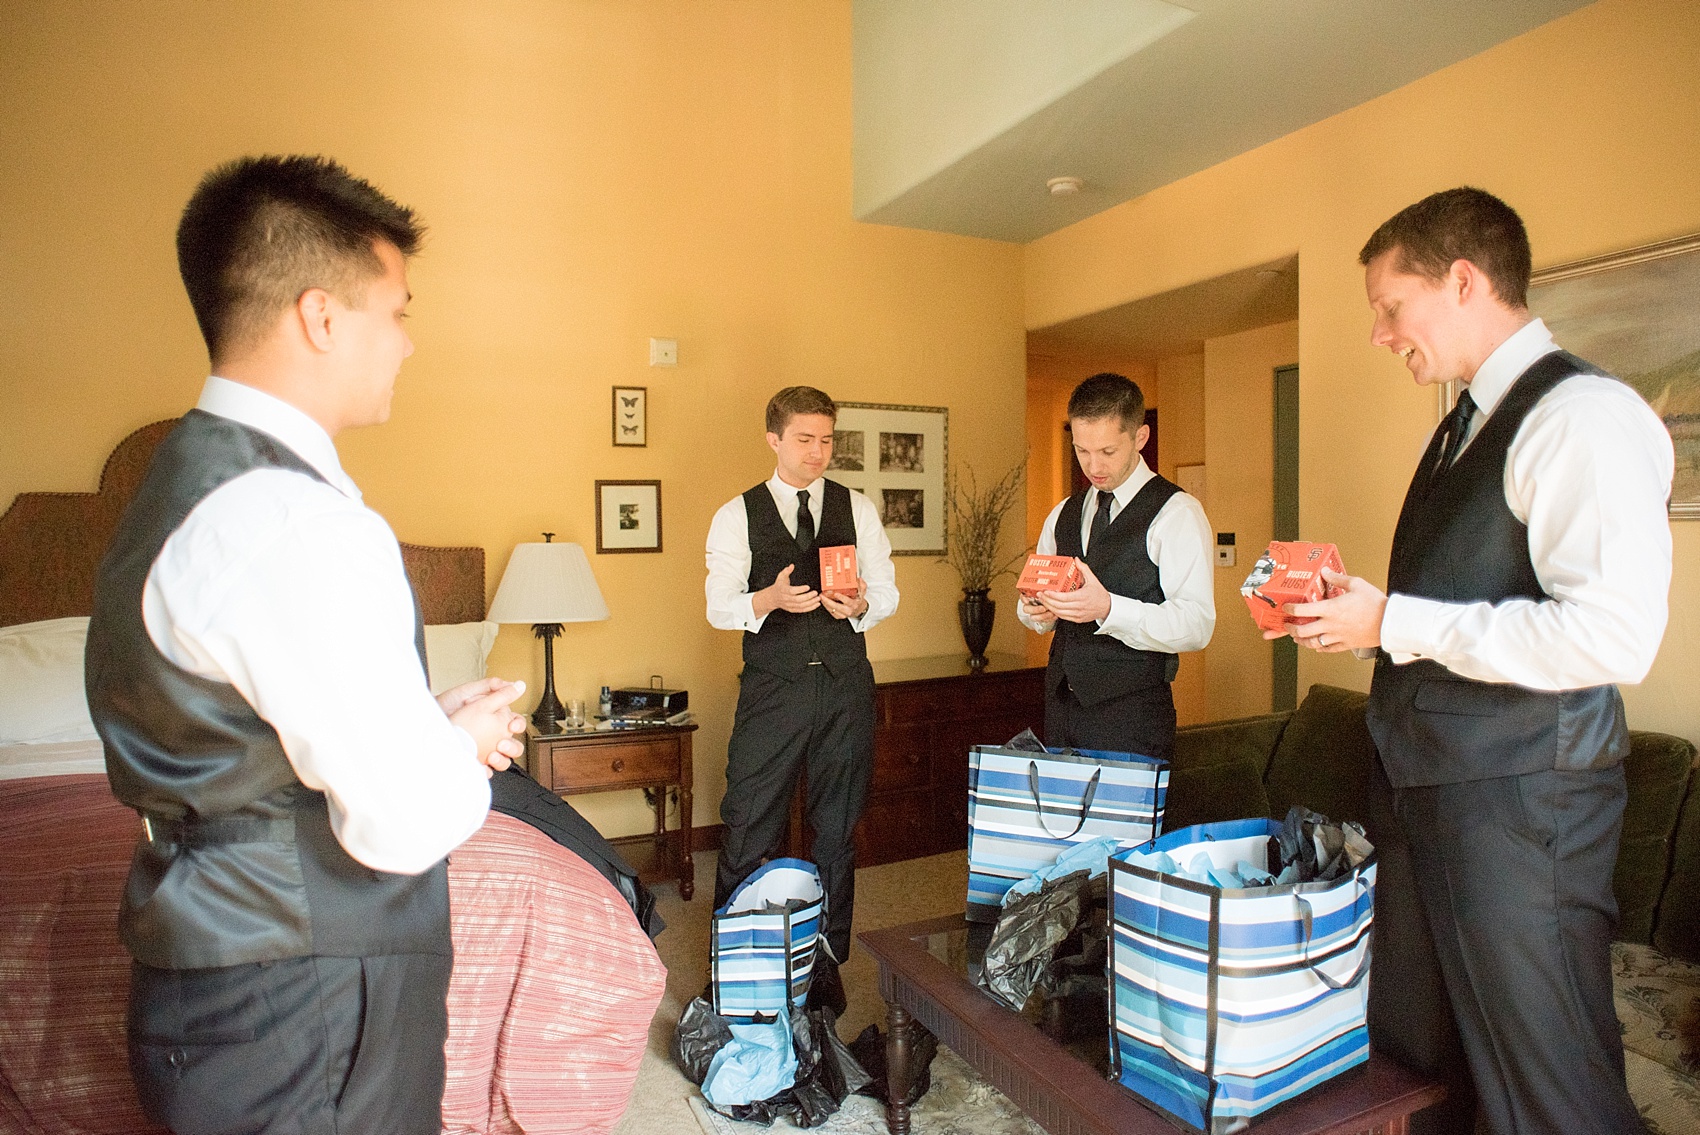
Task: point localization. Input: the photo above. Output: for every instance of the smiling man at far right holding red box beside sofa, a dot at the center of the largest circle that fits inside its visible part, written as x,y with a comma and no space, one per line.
1529,575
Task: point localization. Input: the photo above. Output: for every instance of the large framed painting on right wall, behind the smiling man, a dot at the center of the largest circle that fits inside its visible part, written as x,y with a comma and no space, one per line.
1638,315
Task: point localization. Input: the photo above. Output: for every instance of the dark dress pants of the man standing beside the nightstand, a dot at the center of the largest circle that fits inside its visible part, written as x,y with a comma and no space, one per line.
822,723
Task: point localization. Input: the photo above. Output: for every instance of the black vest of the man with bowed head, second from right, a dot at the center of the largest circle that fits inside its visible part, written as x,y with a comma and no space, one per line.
1099,667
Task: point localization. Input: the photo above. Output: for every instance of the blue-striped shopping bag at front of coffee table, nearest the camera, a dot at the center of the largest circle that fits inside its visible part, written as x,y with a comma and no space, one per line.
1232,1002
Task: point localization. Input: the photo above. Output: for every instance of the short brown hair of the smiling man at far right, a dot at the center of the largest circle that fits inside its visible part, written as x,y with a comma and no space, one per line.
1459,225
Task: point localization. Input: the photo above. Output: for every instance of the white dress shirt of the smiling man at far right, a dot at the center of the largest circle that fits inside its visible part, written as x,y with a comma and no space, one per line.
1590,475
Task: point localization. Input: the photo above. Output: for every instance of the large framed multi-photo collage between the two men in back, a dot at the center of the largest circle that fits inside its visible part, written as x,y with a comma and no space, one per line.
898,458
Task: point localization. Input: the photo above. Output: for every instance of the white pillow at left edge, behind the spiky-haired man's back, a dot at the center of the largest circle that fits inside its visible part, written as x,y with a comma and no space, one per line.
42,682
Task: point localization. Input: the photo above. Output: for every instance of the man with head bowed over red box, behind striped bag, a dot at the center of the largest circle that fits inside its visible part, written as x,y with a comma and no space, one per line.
1145,551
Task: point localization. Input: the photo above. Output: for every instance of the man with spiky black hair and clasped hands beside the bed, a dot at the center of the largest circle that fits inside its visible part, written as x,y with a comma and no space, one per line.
256,672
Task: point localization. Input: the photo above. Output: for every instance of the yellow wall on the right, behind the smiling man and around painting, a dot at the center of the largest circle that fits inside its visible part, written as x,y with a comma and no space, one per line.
1590,127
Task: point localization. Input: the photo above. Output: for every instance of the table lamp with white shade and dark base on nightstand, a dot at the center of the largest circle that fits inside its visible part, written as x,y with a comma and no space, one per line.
548,585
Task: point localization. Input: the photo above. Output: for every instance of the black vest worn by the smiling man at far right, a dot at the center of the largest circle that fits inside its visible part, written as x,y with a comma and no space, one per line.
1459,543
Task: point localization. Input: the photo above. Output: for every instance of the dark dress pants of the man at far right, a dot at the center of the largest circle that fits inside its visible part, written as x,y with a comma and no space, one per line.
1516,878
